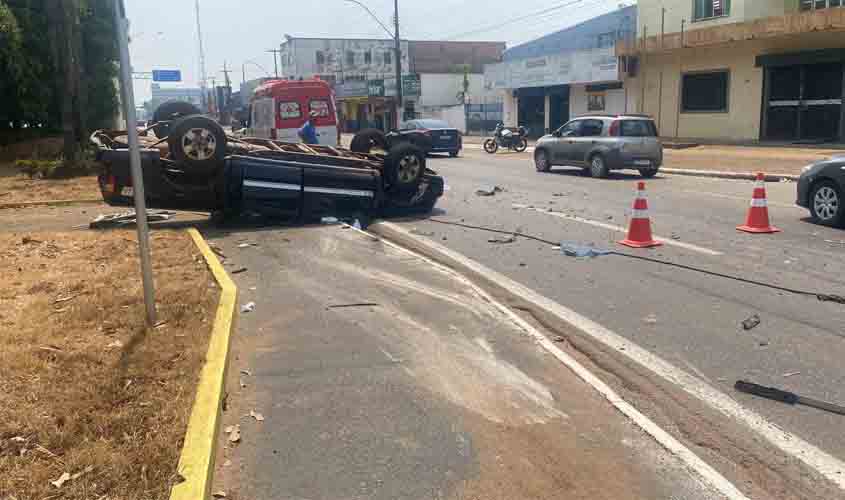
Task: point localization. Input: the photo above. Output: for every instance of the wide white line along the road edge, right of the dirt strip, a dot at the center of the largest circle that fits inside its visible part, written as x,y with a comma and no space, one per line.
825,464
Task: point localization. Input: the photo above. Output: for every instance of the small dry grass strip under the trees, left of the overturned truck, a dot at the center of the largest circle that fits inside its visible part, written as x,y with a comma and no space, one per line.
18,188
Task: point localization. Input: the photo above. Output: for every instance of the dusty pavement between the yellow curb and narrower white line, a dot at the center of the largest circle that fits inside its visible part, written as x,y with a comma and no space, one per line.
430,391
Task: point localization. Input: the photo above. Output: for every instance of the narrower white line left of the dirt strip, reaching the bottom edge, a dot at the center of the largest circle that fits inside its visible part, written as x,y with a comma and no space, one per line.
695,464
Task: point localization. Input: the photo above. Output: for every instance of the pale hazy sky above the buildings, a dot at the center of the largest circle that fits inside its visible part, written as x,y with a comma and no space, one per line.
165,37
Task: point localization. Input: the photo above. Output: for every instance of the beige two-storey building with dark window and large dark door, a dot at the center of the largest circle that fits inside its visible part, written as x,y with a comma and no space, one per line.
739,70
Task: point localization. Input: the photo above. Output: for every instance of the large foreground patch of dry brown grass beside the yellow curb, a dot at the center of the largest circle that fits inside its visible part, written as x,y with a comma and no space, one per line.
83,385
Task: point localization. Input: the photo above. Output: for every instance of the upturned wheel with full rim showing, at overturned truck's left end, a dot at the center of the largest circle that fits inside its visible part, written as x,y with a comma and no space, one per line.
199,144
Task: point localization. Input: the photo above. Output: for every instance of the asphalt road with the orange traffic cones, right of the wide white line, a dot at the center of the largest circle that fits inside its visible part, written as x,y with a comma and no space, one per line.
691,319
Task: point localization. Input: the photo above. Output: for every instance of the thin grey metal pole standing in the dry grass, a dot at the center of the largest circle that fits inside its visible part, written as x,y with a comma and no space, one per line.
127,96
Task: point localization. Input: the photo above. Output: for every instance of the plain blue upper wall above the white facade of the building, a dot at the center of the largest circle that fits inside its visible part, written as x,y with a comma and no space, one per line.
622,23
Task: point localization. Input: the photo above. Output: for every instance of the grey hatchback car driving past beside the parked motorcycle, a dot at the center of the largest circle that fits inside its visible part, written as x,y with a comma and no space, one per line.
601,143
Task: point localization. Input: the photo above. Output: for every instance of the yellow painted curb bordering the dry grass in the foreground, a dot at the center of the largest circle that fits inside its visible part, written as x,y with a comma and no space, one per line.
196,464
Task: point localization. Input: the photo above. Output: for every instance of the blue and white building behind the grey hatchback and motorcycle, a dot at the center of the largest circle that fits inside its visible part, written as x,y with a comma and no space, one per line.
574,71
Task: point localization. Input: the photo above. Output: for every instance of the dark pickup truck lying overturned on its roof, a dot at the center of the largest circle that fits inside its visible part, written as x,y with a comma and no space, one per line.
192,164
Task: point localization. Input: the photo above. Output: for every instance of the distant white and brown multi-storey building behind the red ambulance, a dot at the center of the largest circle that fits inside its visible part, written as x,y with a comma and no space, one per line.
363,73
